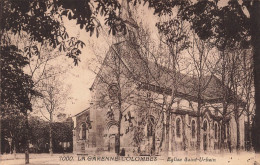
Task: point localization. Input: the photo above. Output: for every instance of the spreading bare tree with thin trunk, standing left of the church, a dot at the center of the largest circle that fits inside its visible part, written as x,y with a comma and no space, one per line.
44,72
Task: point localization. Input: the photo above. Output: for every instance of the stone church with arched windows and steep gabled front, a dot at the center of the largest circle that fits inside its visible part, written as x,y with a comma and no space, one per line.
127,109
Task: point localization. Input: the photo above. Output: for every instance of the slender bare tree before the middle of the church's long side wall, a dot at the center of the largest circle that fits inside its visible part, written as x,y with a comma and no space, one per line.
203,71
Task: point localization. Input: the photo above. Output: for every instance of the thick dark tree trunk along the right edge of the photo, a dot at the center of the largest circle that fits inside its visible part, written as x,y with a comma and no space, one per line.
255,32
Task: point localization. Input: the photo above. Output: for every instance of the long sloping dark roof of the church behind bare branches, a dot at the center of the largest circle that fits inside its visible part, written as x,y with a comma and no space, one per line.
152,76
